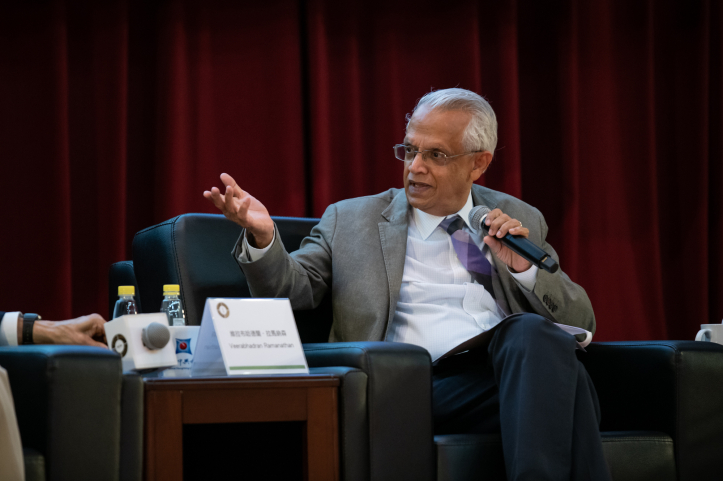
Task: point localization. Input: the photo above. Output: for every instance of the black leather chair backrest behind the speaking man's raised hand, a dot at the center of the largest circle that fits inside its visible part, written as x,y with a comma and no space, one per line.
194,251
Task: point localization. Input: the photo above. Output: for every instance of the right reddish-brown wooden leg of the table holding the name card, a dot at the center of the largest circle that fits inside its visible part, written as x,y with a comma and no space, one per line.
322,446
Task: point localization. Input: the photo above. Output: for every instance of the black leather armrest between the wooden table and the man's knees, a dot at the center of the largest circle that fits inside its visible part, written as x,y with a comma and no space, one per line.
399,400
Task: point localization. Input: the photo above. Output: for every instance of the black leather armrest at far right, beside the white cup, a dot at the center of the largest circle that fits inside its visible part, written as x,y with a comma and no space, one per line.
668,386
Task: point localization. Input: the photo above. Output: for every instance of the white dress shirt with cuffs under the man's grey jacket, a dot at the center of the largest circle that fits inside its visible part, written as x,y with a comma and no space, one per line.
439,306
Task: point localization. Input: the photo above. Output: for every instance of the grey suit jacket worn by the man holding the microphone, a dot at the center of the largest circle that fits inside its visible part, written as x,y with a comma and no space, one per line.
358,250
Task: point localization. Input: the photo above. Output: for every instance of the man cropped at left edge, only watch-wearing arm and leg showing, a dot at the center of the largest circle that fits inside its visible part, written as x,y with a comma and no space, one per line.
86,330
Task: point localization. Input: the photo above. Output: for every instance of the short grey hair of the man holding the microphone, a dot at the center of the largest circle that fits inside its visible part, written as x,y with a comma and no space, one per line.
481,132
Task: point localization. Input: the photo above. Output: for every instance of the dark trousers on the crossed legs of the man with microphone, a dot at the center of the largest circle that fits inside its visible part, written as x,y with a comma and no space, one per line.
528,386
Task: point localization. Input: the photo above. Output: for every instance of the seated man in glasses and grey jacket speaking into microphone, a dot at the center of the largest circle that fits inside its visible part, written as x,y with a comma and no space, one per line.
402,266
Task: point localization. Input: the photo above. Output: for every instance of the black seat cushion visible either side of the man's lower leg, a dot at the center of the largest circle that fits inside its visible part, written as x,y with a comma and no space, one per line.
631,455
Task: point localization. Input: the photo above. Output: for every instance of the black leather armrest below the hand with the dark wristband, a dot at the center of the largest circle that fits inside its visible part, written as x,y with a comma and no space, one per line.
67,400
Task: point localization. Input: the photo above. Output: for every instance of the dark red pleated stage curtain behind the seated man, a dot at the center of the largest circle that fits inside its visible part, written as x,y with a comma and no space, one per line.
116,115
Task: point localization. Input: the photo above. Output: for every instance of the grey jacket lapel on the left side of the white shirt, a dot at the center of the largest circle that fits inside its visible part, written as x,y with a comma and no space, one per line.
393,236
